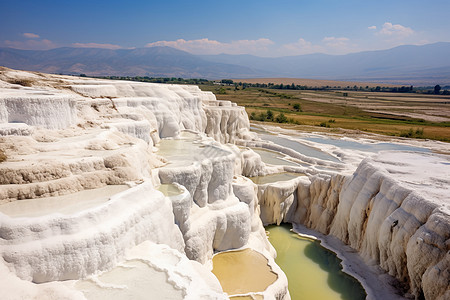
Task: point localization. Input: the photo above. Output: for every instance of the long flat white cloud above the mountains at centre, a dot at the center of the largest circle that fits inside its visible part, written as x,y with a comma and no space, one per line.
207,46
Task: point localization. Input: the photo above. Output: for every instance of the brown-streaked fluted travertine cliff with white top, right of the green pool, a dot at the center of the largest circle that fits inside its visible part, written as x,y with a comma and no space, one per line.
394,210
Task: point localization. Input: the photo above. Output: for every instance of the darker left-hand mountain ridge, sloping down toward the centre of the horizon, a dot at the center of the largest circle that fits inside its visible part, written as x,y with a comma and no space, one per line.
155,61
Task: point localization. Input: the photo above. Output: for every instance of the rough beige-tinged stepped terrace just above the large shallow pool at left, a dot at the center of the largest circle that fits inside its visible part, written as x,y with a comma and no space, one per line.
52,163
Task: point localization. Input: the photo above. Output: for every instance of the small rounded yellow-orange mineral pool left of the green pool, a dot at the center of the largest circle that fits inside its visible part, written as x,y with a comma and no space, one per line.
242,272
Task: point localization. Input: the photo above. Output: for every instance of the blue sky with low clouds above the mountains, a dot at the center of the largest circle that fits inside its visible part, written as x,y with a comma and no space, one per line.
265,28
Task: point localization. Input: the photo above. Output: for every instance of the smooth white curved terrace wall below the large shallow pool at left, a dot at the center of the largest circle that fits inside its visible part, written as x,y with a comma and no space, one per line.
61,247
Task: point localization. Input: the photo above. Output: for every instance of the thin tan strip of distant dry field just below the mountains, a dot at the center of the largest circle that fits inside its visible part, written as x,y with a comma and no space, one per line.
314,82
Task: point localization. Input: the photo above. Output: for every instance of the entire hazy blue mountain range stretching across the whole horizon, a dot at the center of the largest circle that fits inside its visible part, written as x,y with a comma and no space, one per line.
417,65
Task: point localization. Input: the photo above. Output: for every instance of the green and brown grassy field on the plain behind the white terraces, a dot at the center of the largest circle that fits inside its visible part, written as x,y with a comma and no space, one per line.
394,114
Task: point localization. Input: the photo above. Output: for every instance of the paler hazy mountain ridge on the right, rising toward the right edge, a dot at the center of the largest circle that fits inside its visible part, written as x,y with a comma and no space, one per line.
425,64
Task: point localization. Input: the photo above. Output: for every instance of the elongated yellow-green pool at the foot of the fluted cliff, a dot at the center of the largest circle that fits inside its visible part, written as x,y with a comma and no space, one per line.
313,272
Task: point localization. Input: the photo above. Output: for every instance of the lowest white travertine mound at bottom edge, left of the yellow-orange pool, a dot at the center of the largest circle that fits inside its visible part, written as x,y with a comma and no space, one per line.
153,270
